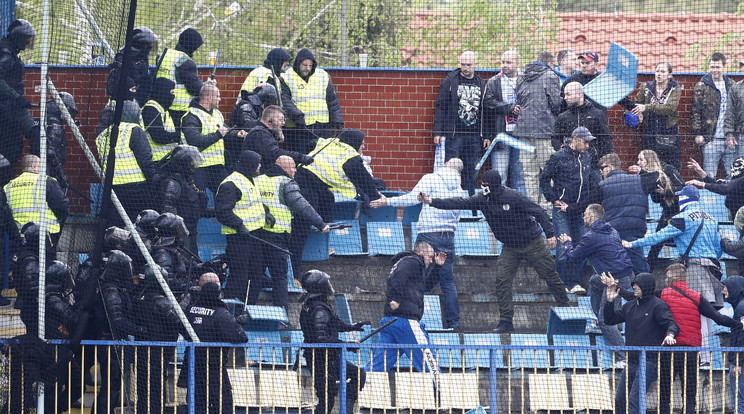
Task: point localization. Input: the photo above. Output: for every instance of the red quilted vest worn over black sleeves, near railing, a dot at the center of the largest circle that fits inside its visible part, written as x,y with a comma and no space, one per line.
685,313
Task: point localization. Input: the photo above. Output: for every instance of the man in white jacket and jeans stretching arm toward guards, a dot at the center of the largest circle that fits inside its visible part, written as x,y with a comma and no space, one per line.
437,227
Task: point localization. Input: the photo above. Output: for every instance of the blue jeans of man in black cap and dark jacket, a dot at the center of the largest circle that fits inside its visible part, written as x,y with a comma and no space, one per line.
573,225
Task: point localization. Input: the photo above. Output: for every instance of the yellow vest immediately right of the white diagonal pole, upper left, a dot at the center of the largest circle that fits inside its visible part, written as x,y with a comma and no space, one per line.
126,168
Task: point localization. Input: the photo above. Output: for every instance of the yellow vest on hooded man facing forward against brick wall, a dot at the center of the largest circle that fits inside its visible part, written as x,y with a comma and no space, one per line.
309,97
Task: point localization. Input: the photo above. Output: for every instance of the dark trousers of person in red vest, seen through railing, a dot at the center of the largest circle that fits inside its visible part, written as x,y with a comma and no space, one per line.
685,366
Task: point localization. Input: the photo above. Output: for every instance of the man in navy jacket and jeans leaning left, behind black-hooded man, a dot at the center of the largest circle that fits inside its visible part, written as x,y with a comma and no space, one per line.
602,246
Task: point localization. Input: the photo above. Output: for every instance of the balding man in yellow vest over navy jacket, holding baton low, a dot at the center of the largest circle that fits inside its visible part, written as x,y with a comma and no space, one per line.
281,195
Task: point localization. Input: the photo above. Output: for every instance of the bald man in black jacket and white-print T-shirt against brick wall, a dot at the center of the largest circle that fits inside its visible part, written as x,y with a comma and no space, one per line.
458,116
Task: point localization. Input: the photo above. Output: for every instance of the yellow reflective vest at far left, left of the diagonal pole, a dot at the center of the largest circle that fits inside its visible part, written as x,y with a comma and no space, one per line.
25,202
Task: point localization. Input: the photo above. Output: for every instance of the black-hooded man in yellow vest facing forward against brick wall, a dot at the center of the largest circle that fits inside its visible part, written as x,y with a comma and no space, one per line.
311,103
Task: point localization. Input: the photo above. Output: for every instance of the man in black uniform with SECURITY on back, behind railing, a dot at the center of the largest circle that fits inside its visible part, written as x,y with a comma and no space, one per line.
212,322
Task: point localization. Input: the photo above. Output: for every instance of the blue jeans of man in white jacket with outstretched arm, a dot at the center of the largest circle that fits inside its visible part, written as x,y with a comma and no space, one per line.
445,242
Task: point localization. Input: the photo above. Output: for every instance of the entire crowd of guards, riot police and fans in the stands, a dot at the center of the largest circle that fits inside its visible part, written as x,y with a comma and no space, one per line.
273,168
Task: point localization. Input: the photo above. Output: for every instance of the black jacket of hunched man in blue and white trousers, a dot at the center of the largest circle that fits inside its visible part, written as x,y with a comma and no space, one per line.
407,283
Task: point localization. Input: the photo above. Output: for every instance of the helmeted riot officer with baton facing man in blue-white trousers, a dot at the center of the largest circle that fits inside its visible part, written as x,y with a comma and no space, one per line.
320,324
